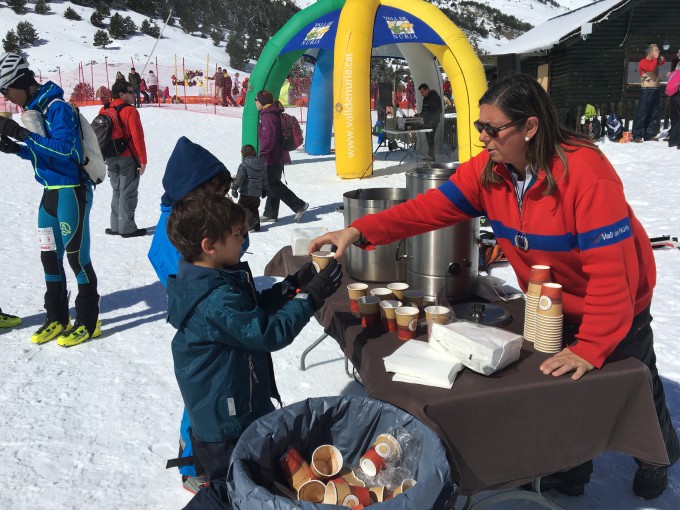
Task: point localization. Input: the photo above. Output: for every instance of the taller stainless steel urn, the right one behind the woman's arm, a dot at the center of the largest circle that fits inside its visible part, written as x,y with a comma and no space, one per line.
445,259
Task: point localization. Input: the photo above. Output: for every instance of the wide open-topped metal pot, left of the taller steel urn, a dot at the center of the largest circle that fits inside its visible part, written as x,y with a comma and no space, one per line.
383,264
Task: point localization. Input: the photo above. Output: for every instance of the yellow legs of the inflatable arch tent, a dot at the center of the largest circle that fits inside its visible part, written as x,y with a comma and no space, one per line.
351,80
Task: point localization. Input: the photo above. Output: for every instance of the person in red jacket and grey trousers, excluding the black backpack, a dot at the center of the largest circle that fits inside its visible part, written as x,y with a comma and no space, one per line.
126,168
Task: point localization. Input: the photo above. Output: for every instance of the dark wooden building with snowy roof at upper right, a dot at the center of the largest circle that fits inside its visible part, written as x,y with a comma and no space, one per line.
591,55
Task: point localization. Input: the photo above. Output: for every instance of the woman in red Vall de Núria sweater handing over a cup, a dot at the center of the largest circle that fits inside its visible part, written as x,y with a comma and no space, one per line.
552,198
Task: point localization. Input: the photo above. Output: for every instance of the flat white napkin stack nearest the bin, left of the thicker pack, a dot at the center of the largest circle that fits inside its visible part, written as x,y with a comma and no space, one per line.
418,363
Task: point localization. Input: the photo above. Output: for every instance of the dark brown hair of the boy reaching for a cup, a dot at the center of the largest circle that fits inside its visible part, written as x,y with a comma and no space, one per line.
201,215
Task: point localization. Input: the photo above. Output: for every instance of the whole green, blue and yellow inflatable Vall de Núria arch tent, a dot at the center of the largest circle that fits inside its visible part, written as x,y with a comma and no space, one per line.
343,35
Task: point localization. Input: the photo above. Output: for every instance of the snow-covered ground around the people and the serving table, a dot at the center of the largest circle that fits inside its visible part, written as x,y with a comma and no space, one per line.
92,426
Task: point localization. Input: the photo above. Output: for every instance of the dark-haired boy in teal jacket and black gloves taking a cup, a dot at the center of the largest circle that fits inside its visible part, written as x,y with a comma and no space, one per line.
225,328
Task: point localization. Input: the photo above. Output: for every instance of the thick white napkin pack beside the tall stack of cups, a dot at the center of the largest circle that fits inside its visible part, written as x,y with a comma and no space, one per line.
480,348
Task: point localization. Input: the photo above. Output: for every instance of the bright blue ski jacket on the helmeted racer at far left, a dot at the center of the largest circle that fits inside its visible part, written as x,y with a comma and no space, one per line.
56,157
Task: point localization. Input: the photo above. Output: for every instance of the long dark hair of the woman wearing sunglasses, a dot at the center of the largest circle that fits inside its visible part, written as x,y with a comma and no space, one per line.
520,97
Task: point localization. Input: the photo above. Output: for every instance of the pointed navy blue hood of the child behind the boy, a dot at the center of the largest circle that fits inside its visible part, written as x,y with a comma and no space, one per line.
189,165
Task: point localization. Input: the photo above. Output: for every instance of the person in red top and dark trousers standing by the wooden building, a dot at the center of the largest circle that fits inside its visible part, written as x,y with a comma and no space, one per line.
645,124
